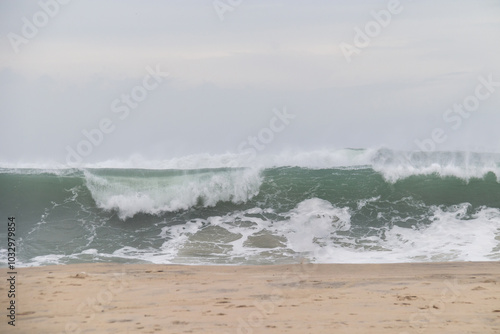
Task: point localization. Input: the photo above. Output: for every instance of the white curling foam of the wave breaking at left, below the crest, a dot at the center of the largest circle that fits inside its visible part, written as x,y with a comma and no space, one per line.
154,195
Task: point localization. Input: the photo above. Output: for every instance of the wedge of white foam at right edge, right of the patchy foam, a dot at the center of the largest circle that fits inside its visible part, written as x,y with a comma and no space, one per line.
452,236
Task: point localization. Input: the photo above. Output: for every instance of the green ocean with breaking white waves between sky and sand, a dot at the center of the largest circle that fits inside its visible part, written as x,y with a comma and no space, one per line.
337,206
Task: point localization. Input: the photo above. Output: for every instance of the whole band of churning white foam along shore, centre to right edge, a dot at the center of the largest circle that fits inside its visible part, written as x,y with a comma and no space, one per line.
317,230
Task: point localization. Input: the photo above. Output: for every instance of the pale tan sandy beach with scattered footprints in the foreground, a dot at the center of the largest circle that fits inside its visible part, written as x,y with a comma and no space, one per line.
302,298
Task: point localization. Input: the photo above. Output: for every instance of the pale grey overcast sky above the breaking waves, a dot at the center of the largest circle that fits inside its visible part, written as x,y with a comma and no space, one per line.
92,80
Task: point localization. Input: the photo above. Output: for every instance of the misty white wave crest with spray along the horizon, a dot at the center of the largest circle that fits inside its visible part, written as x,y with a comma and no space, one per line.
393,165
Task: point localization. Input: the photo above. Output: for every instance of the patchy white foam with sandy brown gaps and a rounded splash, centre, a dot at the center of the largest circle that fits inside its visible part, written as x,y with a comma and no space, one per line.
300,230
